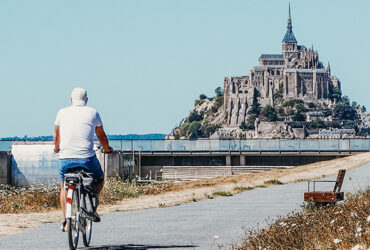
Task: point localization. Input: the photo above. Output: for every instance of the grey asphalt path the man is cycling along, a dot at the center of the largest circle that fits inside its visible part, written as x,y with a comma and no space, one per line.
208,224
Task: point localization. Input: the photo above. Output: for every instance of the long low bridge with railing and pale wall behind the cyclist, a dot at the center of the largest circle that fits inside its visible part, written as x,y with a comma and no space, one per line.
27,162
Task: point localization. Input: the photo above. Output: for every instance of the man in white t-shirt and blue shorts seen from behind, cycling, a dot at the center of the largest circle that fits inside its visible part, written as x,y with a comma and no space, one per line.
73,140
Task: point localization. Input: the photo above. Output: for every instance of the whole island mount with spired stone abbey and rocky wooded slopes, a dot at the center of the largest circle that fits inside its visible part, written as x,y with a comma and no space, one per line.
290,95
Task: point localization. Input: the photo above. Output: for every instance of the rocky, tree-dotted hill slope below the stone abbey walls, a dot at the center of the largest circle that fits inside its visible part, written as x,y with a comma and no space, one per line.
287,118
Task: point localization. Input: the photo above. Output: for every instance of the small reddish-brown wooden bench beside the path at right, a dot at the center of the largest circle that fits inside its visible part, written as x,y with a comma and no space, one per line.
323,198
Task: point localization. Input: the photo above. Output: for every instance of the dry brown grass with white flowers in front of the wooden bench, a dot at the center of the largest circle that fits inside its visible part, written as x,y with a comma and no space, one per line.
335,227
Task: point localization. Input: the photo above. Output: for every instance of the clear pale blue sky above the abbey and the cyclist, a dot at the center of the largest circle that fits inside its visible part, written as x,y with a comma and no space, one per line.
143,63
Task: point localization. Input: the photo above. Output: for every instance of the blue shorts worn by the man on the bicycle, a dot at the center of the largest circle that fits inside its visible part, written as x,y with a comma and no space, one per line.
91,164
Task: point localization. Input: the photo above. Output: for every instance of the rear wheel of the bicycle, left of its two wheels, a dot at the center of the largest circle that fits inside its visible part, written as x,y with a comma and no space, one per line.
72,223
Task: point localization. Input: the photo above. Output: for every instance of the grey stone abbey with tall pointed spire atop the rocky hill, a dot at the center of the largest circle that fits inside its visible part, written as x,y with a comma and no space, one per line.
297,72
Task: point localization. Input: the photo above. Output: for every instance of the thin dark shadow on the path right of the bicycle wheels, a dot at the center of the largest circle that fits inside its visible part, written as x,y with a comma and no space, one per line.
137,247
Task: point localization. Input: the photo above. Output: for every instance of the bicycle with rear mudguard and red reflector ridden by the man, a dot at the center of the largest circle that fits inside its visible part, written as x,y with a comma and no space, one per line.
77,221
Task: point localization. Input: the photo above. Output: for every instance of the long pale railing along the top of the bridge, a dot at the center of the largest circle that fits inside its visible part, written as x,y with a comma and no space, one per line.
262,145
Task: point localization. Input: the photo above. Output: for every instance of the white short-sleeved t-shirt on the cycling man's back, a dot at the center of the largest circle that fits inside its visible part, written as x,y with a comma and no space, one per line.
77,127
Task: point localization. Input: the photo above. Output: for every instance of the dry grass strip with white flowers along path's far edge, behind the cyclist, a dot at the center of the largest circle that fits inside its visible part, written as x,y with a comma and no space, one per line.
41,198
